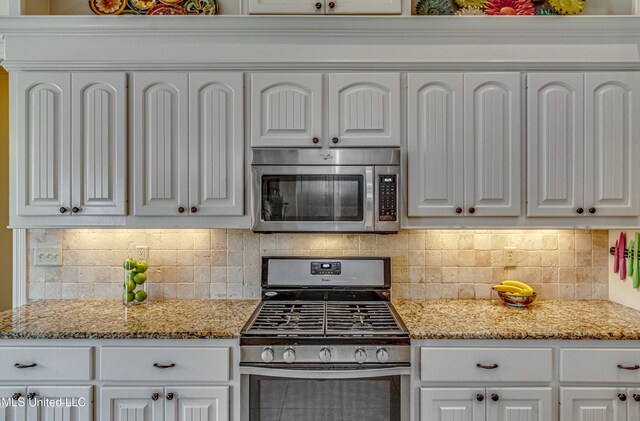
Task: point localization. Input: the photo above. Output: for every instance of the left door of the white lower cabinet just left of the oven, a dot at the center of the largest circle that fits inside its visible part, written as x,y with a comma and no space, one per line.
131,404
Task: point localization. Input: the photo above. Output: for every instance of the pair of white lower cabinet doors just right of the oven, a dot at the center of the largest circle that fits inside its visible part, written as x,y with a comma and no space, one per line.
490,404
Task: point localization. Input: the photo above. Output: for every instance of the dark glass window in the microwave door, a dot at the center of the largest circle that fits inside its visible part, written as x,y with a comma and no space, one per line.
312,198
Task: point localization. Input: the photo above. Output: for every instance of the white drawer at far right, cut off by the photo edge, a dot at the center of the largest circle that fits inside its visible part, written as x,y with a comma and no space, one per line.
600,365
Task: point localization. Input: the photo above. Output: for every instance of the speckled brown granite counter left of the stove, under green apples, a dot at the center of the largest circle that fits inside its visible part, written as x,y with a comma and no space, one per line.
110,319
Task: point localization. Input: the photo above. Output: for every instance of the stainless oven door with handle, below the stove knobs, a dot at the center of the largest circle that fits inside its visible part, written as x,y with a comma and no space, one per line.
336,395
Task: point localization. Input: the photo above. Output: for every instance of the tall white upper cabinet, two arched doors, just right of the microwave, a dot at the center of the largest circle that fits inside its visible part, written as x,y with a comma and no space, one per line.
464,144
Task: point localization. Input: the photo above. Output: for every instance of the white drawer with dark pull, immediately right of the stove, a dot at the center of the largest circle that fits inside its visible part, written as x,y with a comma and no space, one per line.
521,365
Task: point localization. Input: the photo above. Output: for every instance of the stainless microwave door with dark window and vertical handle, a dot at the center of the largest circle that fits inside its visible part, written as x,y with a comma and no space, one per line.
313,198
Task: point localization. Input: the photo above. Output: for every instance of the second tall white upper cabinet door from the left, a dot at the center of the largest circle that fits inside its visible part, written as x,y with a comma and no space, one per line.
99,143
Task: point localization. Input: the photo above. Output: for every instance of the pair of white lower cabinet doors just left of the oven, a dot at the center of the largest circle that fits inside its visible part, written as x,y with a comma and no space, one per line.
200,403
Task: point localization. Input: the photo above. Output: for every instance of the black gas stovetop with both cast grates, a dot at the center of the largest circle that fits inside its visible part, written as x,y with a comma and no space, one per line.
335,319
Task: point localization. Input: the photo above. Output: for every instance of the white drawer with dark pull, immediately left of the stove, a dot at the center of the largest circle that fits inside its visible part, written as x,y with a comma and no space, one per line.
180,364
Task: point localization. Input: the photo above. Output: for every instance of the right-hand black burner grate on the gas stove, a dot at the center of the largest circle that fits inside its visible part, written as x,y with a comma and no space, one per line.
363,318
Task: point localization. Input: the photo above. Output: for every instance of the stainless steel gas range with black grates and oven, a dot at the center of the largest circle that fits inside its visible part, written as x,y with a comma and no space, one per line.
325,343
